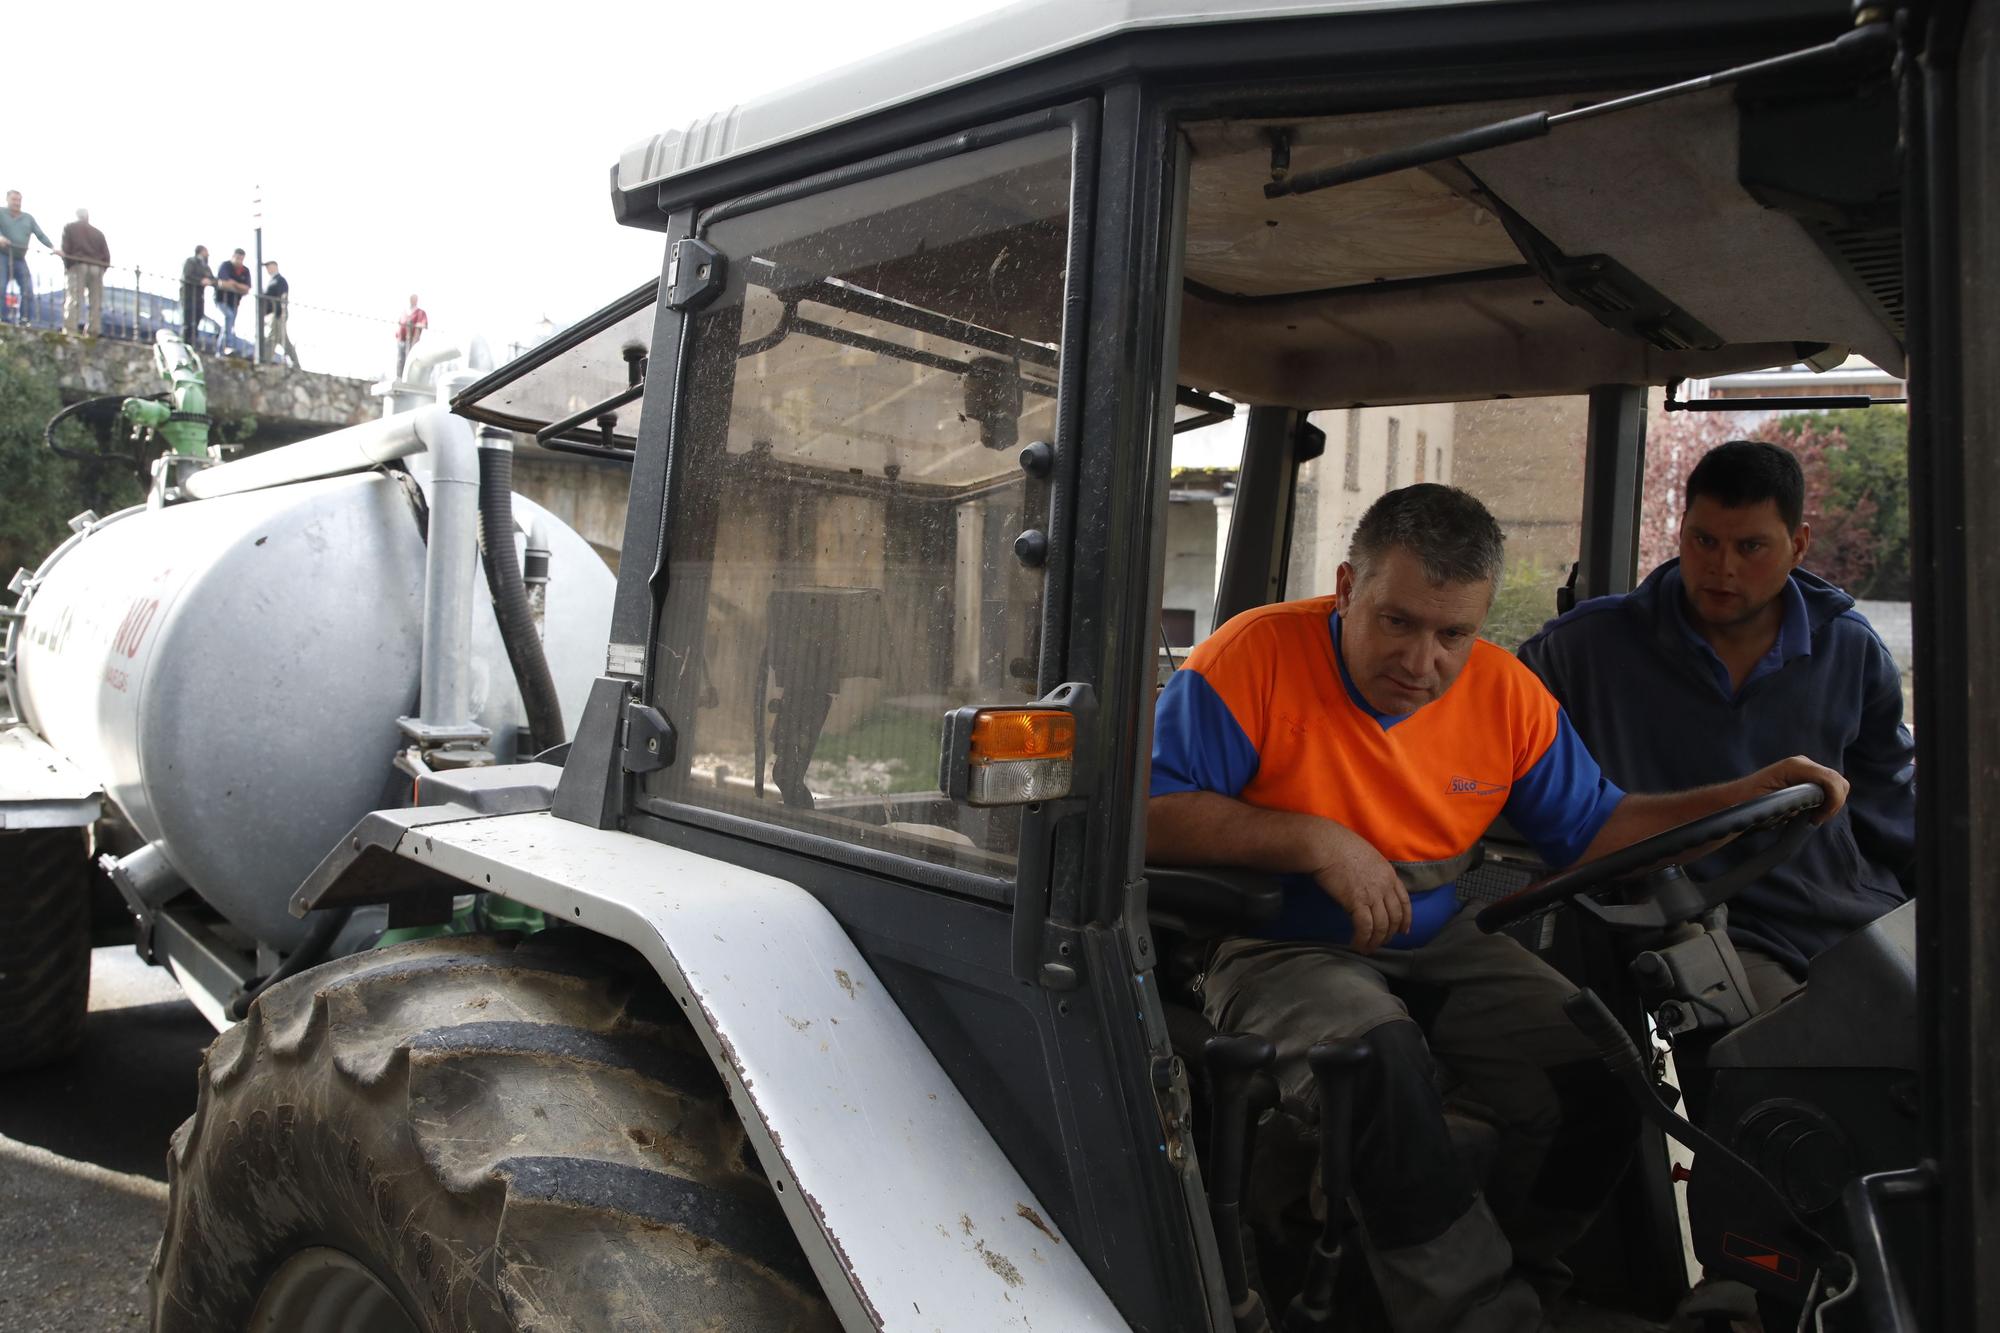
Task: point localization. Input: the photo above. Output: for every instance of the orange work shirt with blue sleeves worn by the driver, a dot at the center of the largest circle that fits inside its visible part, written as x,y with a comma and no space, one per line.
1265,712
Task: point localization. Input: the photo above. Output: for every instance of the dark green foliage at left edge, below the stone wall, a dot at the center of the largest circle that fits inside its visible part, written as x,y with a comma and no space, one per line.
39,489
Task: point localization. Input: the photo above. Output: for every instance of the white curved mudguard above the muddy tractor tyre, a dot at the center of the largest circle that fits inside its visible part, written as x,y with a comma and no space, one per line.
909,1212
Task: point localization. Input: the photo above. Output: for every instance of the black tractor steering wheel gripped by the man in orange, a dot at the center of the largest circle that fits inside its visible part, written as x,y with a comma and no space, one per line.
1669,894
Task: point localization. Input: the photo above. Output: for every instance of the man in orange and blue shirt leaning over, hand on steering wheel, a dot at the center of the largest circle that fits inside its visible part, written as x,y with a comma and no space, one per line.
1361,746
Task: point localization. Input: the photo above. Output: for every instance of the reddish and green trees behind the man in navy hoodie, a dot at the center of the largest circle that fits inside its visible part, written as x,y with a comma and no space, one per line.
1857,489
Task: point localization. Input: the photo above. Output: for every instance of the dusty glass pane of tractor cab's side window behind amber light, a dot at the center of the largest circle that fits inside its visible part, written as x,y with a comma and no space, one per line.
847,495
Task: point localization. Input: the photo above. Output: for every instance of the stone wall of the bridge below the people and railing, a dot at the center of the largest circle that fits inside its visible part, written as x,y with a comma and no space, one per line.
287,405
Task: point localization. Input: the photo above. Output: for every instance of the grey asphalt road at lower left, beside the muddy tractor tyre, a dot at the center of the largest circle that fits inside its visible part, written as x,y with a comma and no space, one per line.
83,1156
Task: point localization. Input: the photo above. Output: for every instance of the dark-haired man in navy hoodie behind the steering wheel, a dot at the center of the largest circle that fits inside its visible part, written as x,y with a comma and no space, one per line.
1733,657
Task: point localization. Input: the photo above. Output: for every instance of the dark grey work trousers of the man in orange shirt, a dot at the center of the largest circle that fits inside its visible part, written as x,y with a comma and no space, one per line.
1447,1258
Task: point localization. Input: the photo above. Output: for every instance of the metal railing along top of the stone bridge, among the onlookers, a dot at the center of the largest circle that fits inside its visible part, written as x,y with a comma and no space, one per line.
139,303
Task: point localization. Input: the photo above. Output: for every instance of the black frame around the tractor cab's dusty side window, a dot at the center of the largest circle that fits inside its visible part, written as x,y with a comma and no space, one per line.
1081,119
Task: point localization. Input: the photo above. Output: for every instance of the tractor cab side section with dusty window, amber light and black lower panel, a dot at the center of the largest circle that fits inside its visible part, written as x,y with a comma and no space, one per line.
881,501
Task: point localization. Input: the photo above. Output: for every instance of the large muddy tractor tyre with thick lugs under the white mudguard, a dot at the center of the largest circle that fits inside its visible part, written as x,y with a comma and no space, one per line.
477,1132
